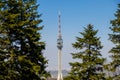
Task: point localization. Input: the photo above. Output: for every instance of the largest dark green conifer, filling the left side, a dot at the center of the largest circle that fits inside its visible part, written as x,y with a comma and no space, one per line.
21,55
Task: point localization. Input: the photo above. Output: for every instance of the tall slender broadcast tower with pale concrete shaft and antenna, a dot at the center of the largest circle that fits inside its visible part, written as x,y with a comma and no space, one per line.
59,46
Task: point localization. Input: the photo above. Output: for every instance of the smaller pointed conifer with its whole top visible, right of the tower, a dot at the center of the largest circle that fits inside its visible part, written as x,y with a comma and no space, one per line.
89,64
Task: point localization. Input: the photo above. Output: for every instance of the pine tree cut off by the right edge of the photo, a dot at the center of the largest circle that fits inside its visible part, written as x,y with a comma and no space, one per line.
115,39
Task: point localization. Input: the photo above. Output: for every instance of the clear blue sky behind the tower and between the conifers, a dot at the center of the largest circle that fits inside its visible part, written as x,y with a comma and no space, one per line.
75,14
